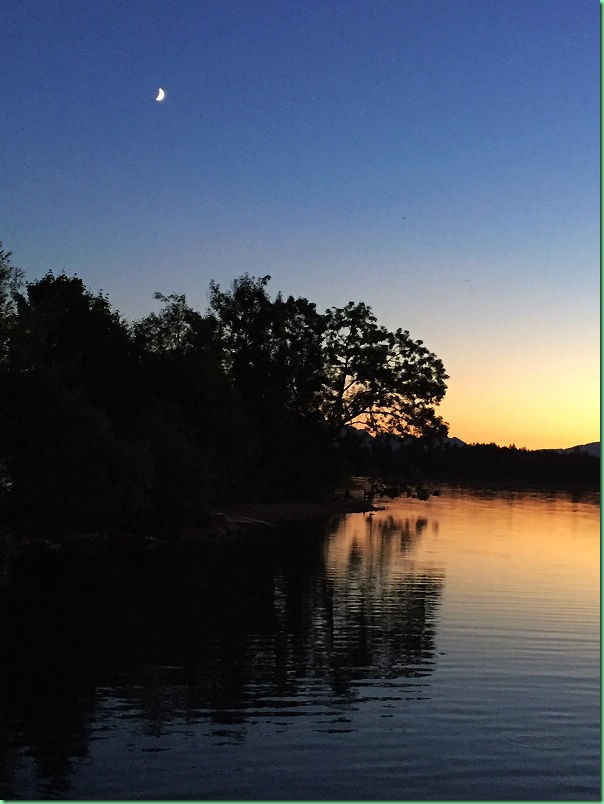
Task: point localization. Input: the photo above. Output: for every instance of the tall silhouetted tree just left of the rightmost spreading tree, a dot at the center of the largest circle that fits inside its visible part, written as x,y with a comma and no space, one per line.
272,352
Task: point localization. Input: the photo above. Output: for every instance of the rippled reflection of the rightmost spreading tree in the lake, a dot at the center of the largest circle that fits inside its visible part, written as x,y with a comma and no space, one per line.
383,605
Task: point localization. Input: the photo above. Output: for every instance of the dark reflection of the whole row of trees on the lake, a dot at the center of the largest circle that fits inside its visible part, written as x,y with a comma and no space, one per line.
215,633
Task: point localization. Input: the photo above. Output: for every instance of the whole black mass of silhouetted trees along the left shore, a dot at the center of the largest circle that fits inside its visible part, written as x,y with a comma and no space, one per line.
106,423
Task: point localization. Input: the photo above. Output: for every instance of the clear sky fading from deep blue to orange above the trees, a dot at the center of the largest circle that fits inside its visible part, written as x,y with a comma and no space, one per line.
437,159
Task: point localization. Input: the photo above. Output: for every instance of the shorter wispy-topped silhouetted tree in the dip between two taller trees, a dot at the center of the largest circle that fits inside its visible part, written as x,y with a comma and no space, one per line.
197,427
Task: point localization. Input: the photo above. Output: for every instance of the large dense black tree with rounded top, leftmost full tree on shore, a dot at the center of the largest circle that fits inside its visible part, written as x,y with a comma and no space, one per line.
69,454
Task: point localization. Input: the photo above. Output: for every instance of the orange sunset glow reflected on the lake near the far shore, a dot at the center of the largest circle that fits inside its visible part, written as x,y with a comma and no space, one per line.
499,558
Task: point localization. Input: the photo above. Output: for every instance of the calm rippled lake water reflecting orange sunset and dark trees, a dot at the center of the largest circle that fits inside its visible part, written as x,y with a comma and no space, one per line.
446,649
